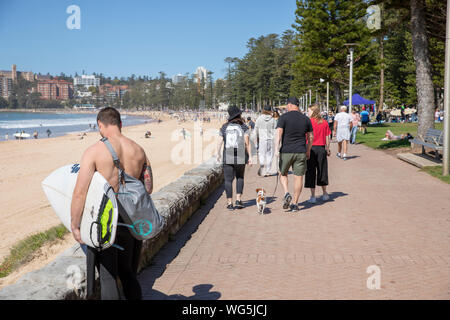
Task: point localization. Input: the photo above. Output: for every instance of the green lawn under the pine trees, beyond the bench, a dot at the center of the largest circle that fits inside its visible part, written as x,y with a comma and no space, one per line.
376,132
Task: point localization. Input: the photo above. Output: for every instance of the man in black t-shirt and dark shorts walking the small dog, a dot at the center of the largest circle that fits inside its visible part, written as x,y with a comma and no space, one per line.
293,129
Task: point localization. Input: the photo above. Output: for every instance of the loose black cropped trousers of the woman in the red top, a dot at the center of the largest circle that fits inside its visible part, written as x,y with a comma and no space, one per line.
317,168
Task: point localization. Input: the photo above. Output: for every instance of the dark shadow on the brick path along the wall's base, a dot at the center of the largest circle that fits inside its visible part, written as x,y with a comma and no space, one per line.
170,251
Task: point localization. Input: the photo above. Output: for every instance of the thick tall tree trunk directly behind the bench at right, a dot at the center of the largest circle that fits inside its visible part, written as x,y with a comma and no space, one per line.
424,83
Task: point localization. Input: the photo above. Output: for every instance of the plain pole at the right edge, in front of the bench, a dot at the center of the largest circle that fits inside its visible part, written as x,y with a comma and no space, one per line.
446,155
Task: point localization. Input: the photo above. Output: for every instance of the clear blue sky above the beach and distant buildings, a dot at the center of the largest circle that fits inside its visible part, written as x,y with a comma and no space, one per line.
141,37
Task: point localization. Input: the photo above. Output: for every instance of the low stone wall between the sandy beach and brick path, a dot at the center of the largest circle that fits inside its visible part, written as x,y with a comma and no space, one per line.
65,277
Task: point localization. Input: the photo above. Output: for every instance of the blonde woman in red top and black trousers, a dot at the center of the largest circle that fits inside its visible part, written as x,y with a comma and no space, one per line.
317,165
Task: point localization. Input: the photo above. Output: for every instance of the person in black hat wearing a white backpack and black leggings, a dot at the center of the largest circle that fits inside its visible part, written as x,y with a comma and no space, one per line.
236,154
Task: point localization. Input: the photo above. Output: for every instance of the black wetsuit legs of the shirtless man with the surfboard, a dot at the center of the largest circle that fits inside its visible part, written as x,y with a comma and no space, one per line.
115,263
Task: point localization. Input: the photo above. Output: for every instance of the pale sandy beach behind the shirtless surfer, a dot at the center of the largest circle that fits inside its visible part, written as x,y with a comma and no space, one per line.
25,163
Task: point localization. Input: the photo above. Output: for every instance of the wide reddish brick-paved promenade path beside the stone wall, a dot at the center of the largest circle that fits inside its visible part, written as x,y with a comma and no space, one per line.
382,212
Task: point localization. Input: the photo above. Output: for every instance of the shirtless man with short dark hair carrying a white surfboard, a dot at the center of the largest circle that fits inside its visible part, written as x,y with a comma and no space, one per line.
112,262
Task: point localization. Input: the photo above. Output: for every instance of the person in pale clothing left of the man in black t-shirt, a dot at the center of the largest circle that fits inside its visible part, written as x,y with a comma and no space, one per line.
265,128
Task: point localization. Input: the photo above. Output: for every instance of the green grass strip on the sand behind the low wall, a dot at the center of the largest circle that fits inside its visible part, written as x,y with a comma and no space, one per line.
22,252
